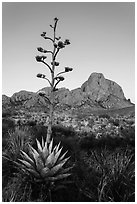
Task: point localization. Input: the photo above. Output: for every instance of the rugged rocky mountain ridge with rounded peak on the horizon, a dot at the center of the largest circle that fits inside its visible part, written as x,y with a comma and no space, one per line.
96,92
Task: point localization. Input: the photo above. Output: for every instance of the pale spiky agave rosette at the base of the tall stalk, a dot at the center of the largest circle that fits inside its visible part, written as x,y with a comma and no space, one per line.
46,163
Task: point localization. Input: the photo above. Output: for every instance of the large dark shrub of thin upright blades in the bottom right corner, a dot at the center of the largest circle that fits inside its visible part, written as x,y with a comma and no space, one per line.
107,176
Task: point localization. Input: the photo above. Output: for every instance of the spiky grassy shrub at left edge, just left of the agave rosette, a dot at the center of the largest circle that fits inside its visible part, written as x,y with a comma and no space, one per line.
18,140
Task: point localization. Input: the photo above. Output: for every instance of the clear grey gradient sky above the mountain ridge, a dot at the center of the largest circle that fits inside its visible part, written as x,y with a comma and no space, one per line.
102,36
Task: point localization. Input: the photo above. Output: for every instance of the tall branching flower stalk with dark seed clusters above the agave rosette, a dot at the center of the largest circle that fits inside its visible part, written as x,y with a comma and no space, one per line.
55,80
